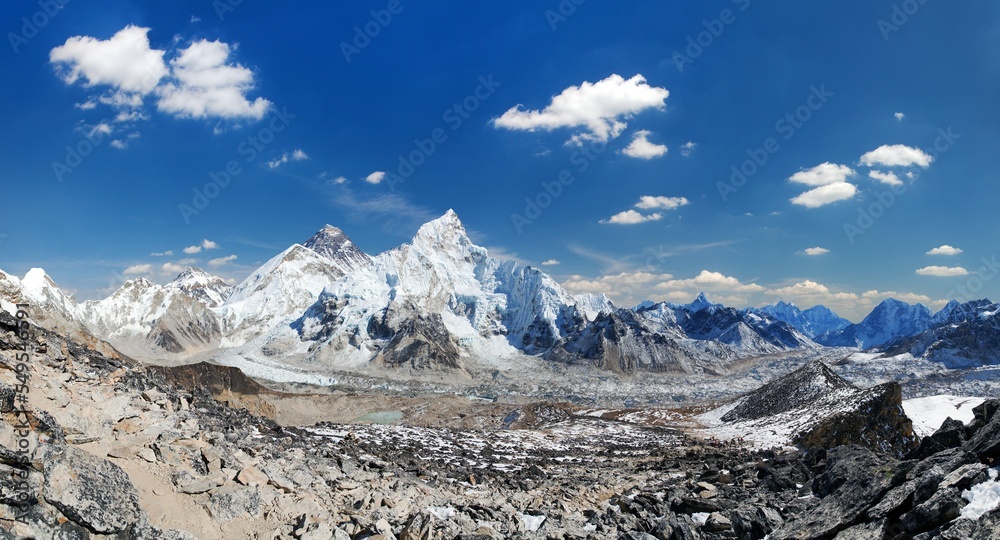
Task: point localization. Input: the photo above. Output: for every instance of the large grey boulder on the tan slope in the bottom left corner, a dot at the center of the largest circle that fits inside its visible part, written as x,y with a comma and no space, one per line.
91,491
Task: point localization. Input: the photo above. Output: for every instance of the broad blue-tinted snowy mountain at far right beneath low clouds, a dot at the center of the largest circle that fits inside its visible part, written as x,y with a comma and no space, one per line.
889,321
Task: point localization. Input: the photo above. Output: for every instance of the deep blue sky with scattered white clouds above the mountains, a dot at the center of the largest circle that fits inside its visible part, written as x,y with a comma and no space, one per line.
633,114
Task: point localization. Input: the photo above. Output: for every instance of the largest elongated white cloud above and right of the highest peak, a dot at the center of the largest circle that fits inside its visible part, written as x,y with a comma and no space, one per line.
600,108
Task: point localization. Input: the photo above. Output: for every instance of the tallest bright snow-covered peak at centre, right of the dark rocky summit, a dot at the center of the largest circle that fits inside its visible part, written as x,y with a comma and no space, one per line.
435,291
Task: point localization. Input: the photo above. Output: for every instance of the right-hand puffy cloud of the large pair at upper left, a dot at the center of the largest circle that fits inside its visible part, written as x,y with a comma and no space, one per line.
203,85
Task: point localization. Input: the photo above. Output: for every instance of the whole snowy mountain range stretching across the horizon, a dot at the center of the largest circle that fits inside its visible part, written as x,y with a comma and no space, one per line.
441,302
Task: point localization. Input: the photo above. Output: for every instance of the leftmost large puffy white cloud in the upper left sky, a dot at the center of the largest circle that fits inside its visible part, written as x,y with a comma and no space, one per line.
125,62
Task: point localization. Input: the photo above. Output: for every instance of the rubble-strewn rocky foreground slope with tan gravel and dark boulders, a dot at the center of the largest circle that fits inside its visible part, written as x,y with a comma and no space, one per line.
107,449
